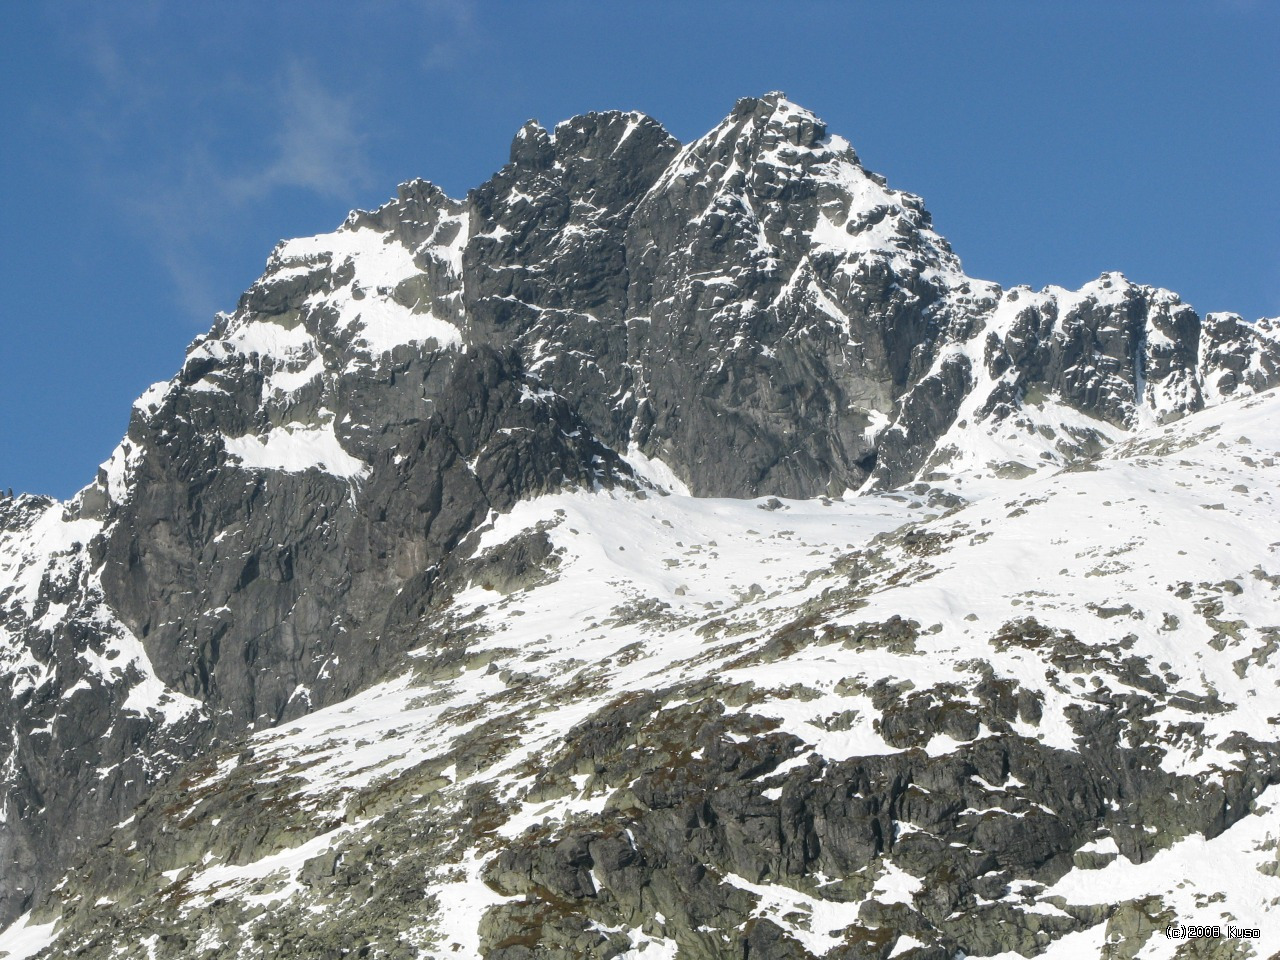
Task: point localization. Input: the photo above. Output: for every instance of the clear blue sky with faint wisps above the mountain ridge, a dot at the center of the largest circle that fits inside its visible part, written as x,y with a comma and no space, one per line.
154,153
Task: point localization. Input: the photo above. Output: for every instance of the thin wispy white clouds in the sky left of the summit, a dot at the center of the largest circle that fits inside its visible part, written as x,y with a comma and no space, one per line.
189,164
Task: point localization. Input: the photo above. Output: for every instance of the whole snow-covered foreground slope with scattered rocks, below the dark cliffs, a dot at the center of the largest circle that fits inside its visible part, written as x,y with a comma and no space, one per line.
1045,716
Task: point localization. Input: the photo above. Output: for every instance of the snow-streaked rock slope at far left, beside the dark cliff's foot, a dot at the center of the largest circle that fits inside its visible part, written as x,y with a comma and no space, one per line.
81,710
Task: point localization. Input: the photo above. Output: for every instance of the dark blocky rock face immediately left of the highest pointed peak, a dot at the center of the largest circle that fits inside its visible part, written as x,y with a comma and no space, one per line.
547,267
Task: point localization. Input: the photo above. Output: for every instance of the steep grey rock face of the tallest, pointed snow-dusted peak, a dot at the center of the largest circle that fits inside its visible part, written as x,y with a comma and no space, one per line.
790,344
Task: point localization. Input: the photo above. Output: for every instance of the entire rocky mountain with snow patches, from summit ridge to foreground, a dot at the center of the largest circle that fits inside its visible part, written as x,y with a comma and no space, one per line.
666,551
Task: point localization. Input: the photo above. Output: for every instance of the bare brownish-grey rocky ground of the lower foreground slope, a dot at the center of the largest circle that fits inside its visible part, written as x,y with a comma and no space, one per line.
696,803
